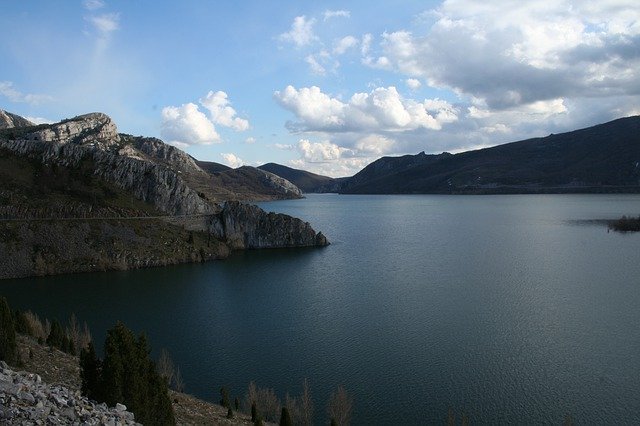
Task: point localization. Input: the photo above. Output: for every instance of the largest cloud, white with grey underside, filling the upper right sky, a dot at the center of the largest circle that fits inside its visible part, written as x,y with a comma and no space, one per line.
516,53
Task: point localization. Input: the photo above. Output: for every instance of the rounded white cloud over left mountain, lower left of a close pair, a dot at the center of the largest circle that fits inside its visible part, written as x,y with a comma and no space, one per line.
187,125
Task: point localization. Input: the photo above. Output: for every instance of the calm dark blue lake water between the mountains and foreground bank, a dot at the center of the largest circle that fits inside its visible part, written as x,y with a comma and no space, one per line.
512,309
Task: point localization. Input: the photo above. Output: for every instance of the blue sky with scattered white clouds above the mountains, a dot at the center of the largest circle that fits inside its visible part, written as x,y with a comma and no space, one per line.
326,86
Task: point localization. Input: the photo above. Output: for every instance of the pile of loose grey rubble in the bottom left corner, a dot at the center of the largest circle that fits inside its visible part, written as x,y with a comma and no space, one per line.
26,400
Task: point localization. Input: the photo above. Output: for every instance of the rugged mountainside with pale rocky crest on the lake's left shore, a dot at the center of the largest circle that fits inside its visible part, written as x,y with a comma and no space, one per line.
79,196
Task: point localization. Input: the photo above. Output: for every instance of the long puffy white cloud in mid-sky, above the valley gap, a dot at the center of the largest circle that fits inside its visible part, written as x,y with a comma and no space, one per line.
383,109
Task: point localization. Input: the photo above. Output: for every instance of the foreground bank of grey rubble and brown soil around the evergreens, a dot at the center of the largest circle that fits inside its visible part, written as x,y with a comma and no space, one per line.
49,394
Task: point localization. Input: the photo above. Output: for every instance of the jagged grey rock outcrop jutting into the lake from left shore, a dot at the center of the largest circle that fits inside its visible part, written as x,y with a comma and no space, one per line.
244,226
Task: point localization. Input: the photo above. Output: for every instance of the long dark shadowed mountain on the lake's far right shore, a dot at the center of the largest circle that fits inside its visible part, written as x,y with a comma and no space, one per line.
602,158
